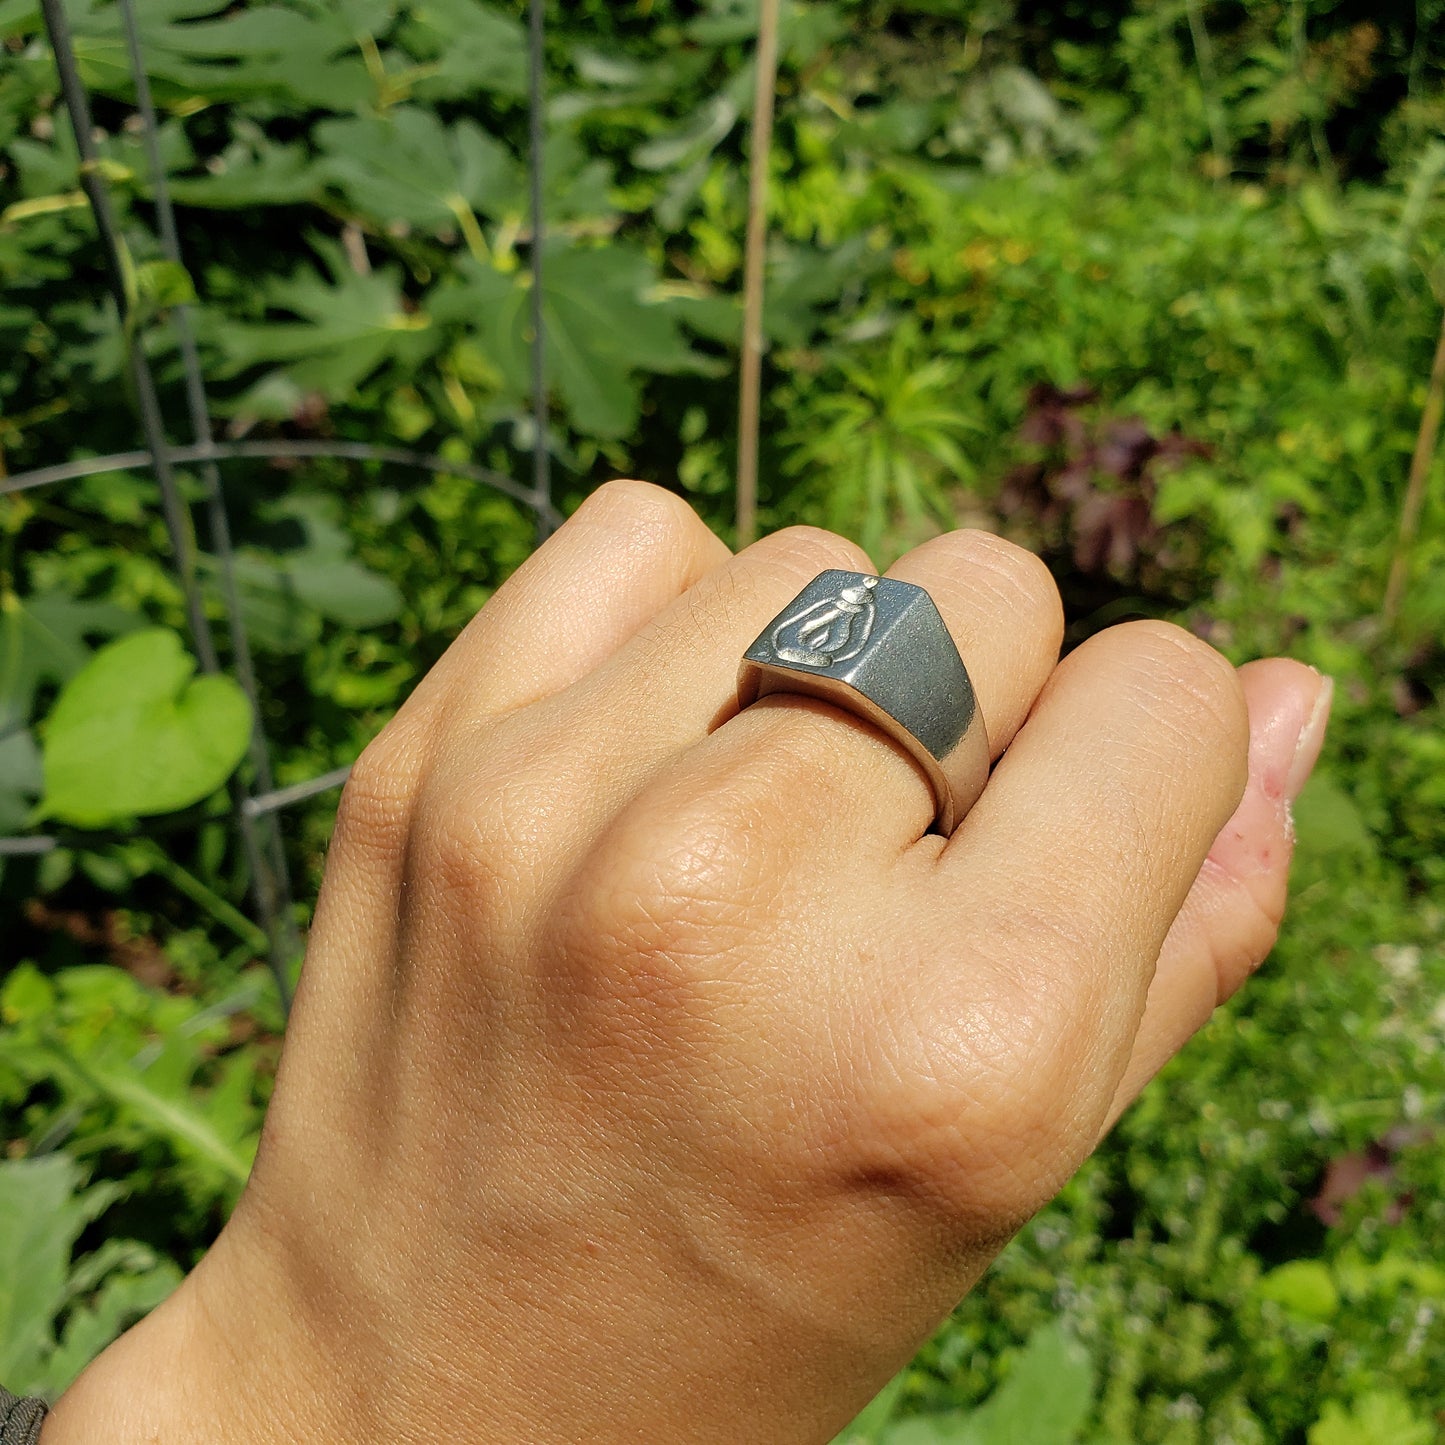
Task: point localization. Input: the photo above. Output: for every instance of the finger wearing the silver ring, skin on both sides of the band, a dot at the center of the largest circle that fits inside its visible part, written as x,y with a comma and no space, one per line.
800,775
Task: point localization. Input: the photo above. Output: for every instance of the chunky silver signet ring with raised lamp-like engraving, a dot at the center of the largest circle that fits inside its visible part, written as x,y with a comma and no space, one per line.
881,650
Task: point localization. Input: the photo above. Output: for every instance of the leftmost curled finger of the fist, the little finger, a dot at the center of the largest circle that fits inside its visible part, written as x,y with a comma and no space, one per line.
628,553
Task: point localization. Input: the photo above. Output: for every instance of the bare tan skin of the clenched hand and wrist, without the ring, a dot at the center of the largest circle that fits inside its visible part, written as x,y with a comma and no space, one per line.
655,1074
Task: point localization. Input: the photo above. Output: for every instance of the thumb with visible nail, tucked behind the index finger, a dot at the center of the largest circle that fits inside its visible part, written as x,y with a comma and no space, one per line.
1232,917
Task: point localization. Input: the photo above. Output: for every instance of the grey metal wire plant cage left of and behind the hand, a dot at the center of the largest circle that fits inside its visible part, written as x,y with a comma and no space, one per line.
256,801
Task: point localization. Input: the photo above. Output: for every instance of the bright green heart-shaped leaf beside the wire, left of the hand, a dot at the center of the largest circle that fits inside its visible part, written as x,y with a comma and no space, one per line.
135,733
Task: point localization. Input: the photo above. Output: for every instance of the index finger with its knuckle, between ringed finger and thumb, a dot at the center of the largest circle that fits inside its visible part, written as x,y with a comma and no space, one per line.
1041,921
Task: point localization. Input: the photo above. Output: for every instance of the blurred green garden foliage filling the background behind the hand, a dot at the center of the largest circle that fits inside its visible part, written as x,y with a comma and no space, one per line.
1152,287
